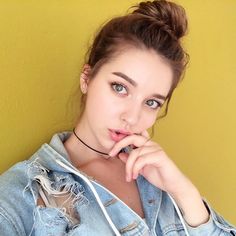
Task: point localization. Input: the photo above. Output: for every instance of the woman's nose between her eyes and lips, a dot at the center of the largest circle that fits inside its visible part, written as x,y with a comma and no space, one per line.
131,114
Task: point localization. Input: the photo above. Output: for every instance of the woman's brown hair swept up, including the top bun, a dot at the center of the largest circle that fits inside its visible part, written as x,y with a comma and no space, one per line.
157,25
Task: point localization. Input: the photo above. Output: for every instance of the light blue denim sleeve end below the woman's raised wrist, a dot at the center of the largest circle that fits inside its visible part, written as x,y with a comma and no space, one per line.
216,226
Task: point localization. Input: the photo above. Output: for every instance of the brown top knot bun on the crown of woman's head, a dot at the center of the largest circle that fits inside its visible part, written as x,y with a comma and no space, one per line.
168,15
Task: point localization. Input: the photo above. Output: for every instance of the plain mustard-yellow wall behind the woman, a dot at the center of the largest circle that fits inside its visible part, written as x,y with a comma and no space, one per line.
42,44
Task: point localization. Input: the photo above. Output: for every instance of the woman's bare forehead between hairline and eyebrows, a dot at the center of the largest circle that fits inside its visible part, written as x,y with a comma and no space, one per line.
149,70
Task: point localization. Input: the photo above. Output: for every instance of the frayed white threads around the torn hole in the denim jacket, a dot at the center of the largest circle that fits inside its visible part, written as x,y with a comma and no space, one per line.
38,173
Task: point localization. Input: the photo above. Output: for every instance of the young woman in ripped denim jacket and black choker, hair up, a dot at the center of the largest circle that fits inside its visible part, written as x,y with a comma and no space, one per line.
108,177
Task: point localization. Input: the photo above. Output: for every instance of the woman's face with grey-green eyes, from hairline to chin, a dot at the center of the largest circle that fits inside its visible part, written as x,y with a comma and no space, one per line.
124,97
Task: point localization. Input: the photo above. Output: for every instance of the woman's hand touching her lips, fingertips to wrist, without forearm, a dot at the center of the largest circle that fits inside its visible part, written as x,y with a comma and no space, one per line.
150,160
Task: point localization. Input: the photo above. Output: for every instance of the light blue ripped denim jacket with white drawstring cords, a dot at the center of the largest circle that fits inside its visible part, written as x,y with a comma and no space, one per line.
99,212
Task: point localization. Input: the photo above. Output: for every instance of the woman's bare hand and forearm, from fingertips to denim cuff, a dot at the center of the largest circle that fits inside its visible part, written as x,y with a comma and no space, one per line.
150,160
